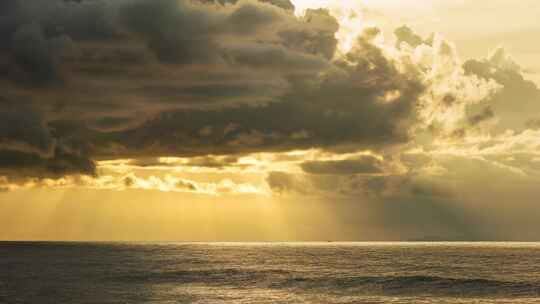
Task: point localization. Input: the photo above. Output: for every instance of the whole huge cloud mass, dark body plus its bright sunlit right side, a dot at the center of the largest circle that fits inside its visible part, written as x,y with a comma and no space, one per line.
209,82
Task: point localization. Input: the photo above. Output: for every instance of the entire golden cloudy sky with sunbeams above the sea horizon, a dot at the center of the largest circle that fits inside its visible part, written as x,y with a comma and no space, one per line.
269,120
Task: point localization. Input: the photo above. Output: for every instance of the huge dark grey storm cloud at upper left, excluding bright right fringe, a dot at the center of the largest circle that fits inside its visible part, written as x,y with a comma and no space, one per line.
140,78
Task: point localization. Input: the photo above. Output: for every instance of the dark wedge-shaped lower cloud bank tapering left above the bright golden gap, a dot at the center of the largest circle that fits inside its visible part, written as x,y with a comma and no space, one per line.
344,109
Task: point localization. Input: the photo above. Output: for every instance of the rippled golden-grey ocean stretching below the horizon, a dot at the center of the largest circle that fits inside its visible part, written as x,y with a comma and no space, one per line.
34,272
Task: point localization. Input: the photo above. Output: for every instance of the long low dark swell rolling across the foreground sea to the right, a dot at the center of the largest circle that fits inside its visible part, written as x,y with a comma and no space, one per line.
375,285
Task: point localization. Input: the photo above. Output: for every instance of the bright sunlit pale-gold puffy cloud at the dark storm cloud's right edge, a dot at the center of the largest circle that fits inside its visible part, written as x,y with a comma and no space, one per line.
451,91
